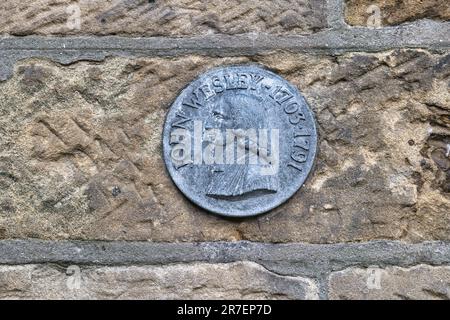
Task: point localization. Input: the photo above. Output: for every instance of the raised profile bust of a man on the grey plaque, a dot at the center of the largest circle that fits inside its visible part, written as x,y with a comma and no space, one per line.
244,115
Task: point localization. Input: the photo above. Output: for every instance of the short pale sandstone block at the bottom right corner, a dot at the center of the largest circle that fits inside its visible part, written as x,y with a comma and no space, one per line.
422,282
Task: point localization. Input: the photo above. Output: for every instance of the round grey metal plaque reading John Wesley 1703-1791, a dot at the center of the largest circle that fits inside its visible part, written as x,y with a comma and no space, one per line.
239,140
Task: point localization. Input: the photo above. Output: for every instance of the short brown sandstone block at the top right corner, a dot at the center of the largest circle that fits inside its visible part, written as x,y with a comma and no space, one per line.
393,12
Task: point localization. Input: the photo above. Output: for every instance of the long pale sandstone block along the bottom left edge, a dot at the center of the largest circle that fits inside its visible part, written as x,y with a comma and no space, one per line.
241,280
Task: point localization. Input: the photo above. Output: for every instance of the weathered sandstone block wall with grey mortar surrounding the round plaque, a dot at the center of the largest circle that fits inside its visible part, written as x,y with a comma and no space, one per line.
87,209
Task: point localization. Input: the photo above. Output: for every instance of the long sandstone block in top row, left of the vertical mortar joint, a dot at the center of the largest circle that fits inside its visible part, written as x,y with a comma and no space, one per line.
160,18
